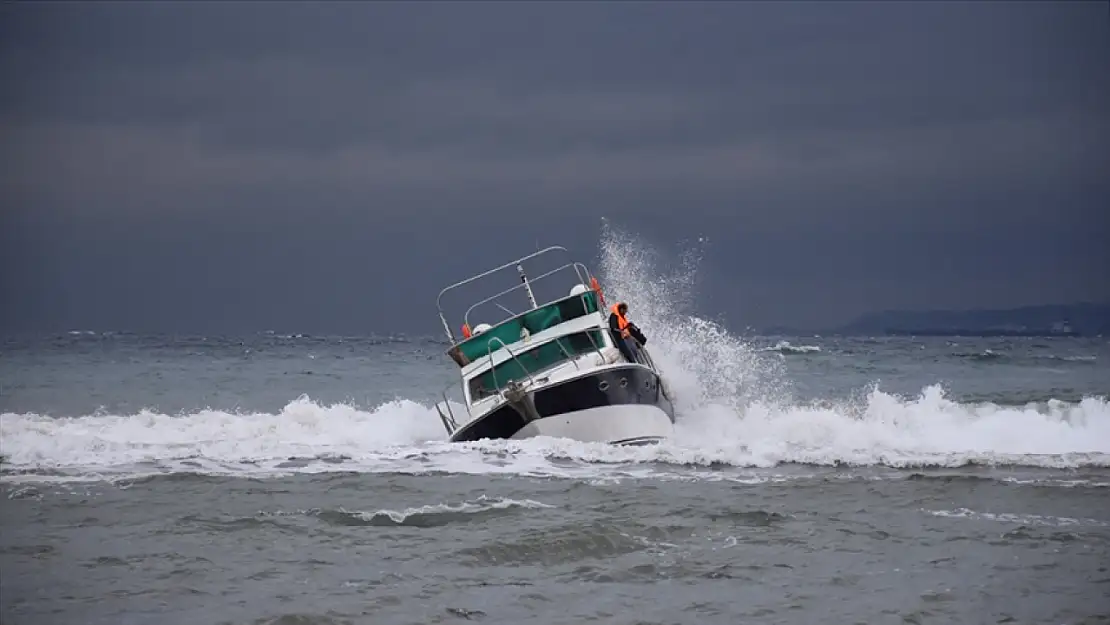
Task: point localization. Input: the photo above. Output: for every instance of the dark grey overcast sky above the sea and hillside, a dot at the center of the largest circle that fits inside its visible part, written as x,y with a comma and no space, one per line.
214,167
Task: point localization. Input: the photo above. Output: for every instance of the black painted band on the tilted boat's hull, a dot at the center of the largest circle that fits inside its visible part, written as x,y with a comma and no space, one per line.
625,386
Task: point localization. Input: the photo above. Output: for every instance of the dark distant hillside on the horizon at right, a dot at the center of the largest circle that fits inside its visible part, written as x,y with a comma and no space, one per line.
1082,320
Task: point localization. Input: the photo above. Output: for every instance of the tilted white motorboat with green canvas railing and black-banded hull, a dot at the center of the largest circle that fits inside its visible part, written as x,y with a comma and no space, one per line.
554,369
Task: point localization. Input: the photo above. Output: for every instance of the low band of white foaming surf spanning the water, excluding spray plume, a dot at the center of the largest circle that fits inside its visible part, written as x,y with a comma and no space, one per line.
407,438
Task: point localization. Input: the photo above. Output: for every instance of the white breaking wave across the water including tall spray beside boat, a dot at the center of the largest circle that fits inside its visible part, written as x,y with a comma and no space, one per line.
733,401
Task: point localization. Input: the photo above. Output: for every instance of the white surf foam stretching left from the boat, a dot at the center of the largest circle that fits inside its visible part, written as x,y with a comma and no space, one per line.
301,429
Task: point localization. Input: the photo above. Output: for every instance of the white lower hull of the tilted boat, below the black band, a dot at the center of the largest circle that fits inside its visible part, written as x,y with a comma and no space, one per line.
617,425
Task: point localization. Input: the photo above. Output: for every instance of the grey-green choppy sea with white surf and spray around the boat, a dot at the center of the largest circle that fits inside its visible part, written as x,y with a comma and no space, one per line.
282,478
